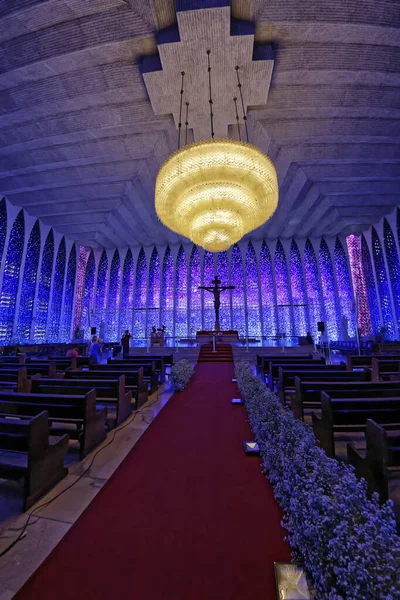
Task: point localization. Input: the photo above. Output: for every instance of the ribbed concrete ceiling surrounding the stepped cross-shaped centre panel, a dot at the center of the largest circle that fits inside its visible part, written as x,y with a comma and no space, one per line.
80,145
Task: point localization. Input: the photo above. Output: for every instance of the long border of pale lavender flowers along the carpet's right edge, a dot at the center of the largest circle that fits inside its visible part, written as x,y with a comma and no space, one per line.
347,541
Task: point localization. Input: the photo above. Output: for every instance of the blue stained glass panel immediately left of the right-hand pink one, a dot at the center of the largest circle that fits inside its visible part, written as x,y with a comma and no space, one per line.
346,300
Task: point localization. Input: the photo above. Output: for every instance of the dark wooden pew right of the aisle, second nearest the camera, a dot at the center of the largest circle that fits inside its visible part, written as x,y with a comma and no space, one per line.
350,415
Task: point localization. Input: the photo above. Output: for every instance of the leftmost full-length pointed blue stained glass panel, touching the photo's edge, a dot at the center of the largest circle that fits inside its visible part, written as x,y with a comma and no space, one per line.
11,272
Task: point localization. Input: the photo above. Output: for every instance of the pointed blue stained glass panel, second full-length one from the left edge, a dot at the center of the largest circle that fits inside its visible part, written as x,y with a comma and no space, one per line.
28,288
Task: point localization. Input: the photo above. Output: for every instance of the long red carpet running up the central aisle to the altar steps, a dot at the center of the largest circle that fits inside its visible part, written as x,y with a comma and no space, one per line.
187,516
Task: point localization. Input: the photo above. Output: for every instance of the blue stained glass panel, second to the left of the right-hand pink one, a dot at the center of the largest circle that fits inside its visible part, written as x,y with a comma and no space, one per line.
329,292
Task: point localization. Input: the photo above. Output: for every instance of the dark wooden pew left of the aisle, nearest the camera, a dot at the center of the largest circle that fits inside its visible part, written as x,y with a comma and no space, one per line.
26,451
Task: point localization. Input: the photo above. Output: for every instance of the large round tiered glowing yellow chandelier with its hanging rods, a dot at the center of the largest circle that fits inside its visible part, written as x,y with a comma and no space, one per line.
215,191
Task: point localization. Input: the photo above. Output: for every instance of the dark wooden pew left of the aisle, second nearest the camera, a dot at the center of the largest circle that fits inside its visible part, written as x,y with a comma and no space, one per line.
63,411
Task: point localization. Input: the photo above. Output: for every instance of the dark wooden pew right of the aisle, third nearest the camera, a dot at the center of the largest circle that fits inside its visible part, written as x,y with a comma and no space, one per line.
308,391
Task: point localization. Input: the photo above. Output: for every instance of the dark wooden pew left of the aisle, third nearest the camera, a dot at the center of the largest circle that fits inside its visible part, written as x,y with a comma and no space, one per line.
110,393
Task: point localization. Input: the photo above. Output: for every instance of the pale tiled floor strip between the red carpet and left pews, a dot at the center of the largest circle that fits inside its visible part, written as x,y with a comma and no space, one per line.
50,523
